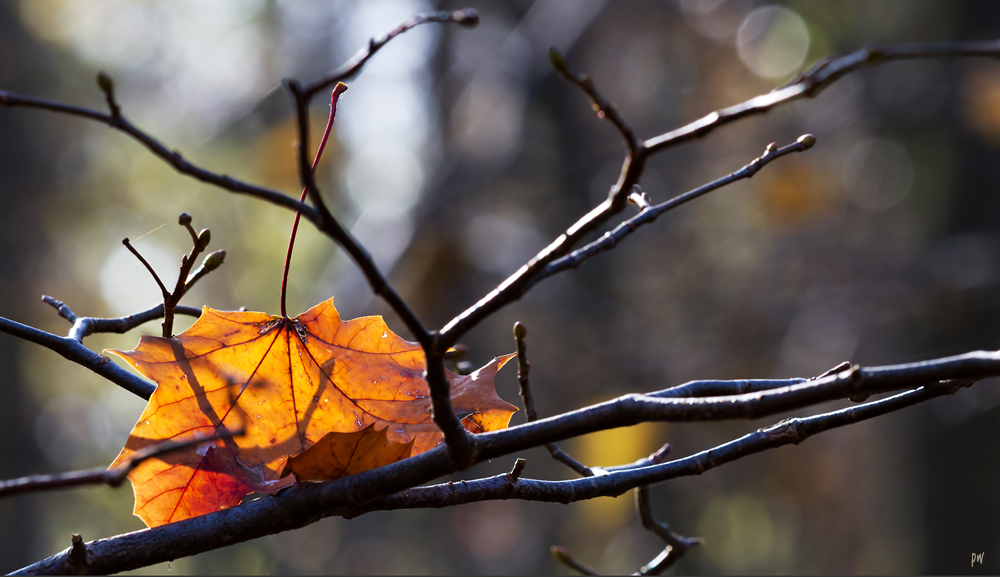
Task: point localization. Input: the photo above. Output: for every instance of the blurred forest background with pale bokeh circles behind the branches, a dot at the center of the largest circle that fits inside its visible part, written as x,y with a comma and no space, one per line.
457,155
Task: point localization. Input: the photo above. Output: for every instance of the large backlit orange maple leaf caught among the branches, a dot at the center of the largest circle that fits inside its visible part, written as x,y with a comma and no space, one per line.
289,382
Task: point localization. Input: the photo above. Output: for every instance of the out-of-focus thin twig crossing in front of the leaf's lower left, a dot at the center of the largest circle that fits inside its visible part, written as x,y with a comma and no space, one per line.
113,477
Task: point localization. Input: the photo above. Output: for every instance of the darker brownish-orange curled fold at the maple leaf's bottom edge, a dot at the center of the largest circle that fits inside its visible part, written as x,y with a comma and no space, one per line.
338,455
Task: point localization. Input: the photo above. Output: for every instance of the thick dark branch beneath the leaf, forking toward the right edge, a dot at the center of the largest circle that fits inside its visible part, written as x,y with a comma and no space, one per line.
305,503
